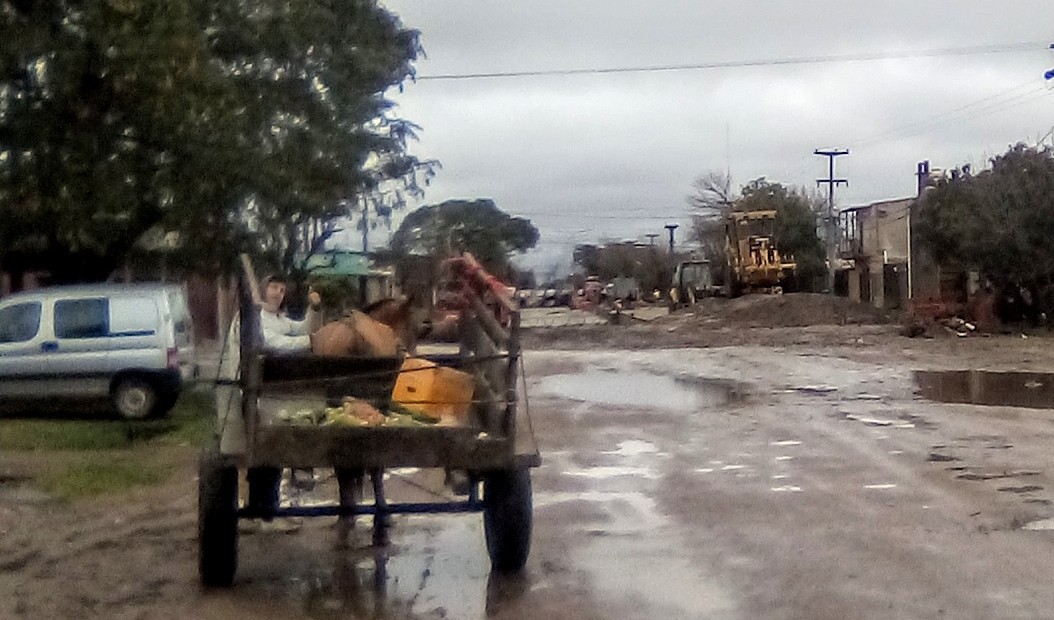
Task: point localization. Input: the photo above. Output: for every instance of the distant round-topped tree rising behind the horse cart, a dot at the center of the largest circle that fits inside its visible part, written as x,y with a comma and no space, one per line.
466,226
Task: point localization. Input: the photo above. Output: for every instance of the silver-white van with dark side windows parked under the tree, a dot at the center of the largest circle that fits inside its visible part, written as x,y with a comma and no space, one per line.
130,344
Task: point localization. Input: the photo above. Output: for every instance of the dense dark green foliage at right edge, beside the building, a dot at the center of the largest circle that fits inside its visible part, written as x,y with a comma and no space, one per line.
1000,222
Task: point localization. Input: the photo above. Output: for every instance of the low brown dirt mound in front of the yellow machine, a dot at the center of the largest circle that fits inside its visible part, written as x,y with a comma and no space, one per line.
790,311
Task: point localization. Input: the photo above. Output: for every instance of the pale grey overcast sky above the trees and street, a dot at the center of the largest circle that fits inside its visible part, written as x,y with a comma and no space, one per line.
613,157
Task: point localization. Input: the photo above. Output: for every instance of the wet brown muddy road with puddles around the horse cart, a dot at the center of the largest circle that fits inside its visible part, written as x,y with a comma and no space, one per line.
801,481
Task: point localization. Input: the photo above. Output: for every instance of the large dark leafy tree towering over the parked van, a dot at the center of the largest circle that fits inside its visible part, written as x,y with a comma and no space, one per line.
237,125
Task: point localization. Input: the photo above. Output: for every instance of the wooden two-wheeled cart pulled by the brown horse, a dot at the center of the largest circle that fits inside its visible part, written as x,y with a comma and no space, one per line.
493,445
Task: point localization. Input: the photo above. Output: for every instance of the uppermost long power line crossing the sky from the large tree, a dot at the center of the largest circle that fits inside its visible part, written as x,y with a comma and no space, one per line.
933,53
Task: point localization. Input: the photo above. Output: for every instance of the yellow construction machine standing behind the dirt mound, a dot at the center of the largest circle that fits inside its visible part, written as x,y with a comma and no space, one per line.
754,264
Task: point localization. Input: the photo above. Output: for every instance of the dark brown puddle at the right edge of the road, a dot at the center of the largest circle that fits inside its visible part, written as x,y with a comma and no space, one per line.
1035,391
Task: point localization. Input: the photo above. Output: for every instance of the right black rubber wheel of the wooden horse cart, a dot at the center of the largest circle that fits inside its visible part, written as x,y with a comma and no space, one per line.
508,509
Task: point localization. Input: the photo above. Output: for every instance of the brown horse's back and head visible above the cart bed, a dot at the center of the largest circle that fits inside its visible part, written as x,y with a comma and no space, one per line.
383,330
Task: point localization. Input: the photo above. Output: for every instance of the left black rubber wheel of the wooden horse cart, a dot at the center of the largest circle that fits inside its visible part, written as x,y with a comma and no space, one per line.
218,519
